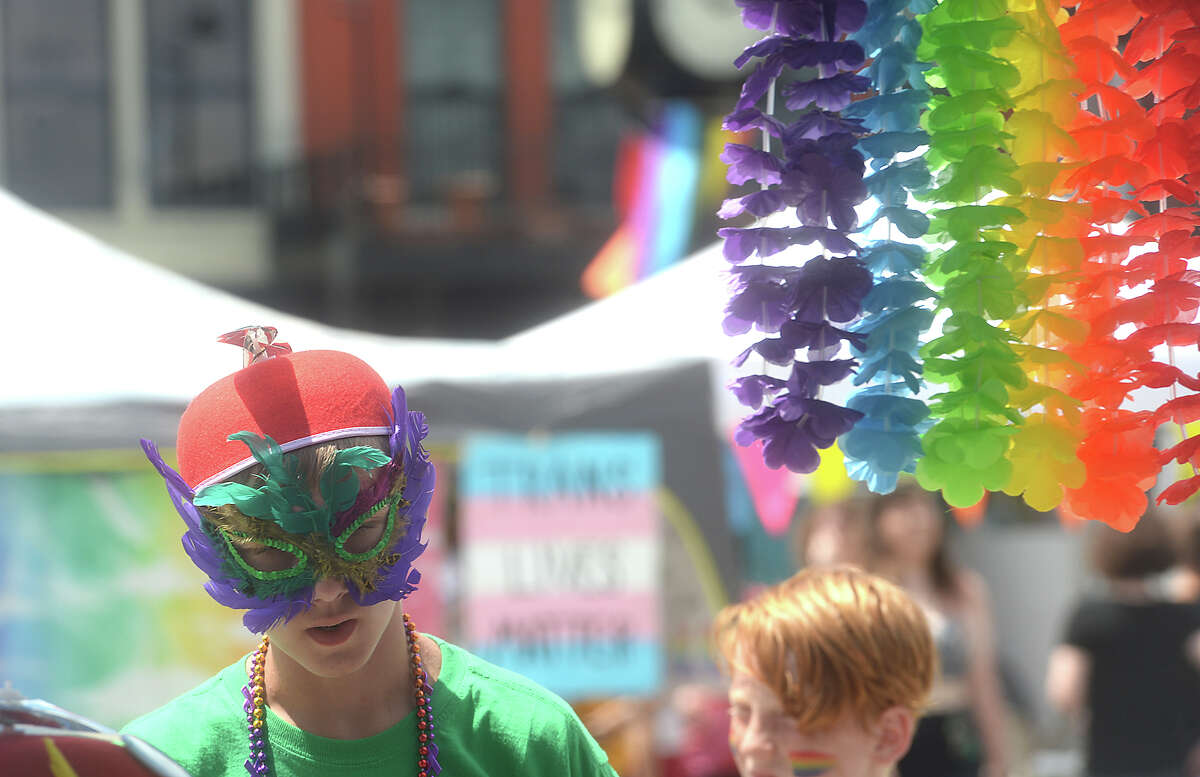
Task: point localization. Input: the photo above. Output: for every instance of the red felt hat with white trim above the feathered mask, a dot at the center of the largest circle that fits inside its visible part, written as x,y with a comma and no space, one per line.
297,400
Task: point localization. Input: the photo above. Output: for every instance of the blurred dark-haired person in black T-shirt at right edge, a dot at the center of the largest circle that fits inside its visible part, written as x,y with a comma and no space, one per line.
1129,662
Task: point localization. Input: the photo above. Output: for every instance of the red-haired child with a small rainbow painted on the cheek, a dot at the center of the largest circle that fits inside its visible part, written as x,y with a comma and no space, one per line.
830,671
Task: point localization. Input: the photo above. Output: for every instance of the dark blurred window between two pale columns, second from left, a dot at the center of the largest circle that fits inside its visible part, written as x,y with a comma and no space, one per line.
200,89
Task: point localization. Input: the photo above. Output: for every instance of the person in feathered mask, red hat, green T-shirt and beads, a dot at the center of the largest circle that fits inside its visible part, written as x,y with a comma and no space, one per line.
304,487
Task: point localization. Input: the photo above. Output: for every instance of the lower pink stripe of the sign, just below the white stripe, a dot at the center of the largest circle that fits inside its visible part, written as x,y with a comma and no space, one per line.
563,618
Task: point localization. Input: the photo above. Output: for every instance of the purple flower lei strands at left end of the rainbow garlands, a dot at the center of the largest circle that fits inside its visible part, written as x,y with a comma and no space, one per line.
820,177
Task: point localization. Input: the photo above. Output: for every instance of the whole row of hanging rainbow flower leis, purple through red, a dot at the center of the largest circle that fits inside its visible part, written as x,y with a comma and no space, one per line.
1060,219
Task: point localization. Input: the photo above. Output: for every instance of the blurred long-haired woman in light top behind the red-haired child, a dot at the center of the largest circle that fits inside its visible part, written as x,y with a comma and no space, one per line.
964,732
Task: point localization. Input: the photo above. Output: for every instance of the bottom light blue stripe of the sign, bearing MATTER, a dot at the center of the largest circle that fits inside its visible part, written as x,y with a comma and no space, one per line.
579,671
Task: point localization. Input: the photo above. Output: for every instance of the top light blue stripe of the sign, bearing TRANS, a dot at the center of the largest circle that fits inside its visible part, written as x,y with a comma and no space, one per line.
574,465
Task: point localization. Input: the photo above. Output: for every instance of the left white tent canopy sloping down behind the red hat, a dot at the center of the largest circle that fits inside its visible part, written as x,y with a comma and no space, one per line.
86,323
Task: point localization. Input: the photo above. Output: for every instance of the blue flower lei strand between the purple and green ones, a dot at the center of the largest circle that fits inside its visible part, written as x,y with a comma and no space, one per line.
886,442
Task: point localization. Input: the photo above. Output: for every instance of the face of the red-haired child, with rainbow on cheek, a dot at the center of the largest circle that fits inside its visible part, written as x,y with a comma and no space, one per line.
767,743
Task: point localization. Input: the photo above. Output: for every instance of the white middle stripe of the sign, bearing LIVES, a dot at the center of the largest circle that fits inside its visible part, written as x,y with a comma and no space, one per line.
561,567
